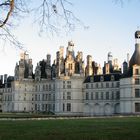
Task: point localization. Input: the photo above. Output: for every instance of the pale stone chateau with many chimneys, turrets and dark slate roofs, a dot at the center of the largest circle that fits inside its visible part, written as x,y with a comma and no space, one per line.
72,87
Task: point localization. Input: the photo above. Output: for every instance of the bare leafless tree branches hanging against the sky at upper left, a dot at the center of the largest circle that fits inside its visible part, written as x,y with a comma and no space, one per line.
51,15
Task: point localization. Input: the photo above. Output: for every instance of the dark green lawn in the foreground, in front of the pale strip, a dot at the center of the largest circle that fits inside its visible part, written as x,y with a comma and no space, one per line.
73,129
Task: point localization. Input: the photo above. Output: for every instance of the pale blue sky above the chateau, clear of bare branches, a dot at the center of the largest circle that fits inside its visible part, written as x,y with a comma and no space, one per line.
111,29
